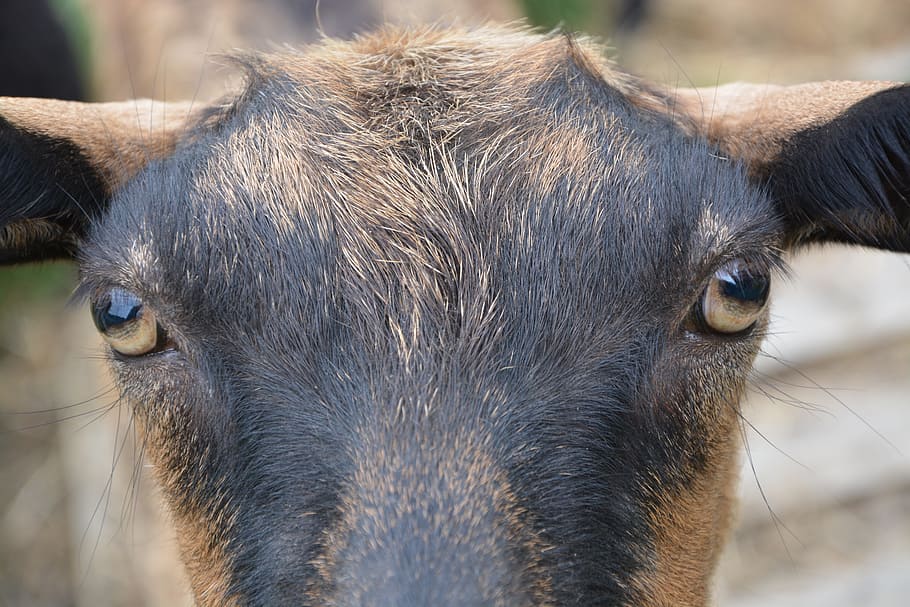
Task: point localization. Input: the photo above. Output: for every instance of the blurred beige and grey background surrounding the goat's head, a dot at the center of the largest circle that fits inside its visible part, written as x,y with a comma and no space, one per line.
825,515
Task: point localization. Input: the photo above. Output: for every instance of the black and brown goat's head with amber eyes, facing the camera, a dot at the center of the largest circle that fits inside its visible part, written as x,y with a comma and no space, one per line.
447,317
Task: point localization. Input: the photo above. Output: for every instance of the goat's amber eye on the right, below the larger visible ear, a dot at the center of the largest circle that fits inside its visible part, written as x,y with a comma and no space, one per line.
735,297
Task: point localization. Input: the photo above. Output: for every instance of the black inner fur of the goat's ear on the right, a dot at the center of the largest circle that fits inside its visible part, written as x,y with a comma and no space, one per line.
848,180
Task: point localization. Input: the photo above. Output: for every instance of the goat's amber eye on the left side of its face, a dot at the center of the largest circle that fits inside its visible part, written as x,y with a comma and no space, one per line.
127,325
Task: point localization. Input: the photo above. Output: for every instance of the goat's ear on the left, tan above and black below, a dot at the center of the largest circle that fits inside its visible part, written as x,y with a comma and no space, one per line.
61,161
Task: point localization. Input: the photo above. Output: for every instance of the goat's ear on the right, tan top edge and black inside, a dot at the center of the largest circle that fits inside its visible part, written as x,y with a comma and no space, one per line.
835,155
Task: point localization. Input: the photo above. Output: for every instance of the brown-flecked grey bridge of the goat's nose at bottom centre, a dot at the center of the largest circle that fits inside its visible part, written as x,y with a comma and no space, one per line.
430,519
